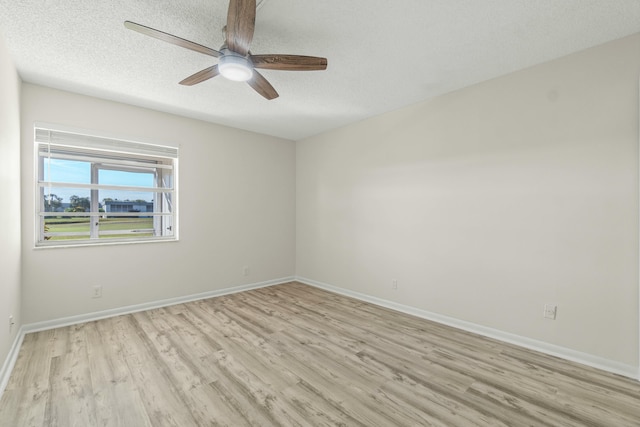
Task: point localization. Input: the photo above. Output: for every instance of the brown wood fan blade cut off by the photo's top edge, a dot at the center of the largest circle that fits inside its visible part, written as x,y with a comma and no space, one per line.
241,21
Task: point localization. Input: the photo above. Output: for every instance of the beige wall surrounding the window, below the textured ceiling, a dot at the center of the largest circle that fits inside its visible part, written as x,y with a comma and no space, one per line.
237,207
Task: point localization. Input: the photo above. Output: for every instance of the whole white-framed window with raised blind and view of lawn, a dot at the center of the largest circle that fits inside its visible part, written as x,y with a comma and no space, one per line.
94,190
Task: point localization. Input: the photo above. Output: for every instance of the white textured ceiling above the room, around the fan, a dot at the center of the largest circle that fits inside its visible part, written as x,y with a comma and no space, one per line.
383,54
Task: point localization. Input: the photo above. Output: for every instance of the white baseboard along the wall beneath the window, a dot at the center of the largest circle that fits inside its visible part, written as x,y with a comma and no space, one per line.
89,317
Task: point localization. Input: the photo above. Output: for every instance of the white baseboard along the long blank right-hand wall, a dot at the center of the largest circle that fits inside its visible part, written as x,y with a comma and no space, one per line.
541,346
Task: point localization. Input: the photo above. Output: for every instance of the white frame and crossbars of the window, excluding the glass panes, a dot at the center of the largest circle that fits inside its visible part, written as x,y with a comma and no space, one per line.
106,153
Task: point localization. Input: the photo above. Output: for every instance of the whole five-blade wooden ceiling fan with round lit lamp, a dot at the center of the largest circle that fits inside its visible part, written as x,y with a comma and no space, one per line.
235,61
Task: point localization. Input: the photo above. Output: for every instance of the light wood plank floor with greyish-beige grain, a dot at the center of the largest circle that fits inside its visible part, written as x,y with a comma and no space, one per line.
294,355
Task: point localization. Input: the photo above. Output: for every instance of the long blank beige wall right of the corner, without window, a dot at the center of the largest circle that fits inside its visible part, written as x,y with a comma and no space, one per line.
489,202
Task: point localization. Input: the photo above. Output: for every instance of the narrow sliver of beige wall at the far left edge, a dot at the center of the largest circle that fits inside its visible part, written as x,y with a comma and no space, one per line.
10,197
